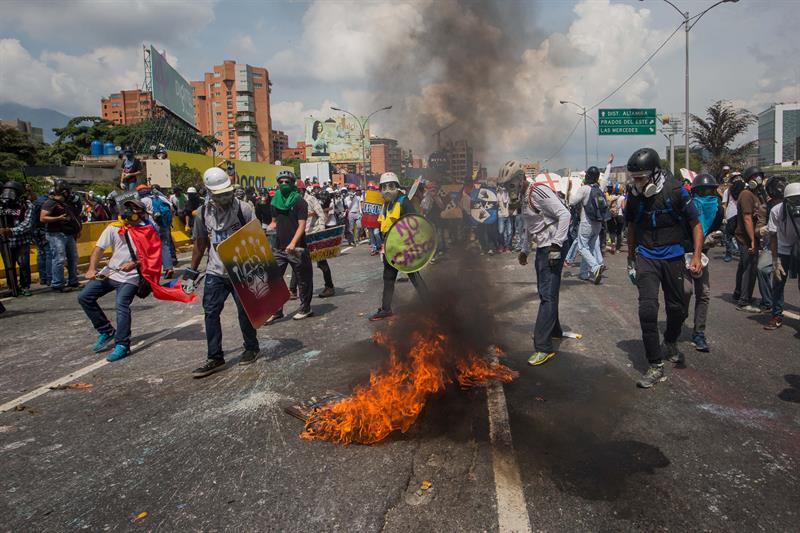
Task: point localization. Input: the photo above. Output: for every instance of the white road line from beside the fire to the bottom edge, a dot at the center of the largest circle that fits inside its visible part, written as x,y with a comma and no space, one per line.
512,512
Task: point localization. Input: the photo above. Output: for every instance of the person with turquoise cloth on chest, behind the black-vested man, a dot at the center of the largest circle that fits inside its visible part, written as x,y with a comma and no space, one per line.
710,212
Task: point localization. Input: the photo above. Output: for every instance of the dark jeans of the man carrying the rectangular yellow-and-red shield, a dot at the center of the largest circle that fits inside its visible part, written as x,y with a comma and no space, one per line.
215,293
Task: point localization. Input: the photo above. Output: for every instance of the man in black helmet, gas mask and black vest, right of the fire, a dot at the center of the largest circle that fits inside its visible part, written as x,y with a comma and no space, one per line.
657,212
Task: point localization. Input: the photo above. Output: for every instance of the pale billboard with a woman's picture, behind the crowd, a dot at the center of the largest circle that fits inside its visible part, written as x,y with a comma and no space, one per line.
337,140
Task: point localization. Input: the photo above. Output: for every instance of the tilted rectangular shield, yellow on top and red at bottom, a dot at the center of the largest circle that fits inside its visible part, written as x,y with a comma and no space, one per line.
254,273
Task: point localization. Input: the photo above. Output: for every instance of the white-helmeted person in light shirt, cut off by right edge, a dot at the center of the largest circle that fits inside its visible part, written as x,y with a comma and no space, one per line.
784,233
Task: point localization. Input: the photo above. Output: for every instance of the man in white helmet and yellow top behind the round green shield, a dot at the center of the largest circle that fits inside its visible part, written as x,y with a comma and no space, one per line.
395,205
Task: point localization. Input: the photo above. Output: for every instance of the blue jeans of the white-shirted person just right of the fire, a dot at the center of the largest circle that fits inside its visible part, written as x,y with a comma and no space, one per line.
548,284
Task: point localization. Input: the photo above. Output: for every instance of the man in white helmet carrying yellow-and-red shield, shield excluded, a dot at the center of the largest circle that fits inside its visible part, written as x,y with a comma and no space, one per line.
220,217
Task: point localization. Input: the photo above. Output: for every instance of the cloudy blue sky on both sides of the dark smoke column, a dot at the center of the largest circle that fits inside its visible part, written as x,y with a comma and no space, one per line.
66,55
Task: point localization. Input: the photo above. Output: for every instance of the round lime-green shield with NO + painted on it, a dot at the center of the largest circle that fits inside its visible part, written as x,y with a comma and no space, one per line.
410,243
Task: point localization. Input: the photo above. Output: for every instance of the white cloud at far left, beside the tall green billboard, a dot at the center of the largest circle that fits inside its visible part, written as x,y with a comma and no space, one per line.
72,84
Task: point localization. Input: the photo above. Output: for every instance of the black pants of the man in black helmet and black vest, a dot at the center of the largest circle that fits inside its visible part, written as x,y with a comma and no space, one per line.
668,275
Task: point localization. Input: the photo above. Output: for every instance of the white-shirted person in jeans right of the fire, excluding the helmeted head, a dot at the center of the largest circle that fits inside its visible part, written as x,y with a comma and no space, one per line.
547,223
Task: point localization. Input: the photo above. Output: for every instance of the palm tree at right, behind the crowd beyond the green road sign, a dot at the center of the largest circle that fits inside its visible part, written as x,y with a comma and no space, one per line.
716,133
